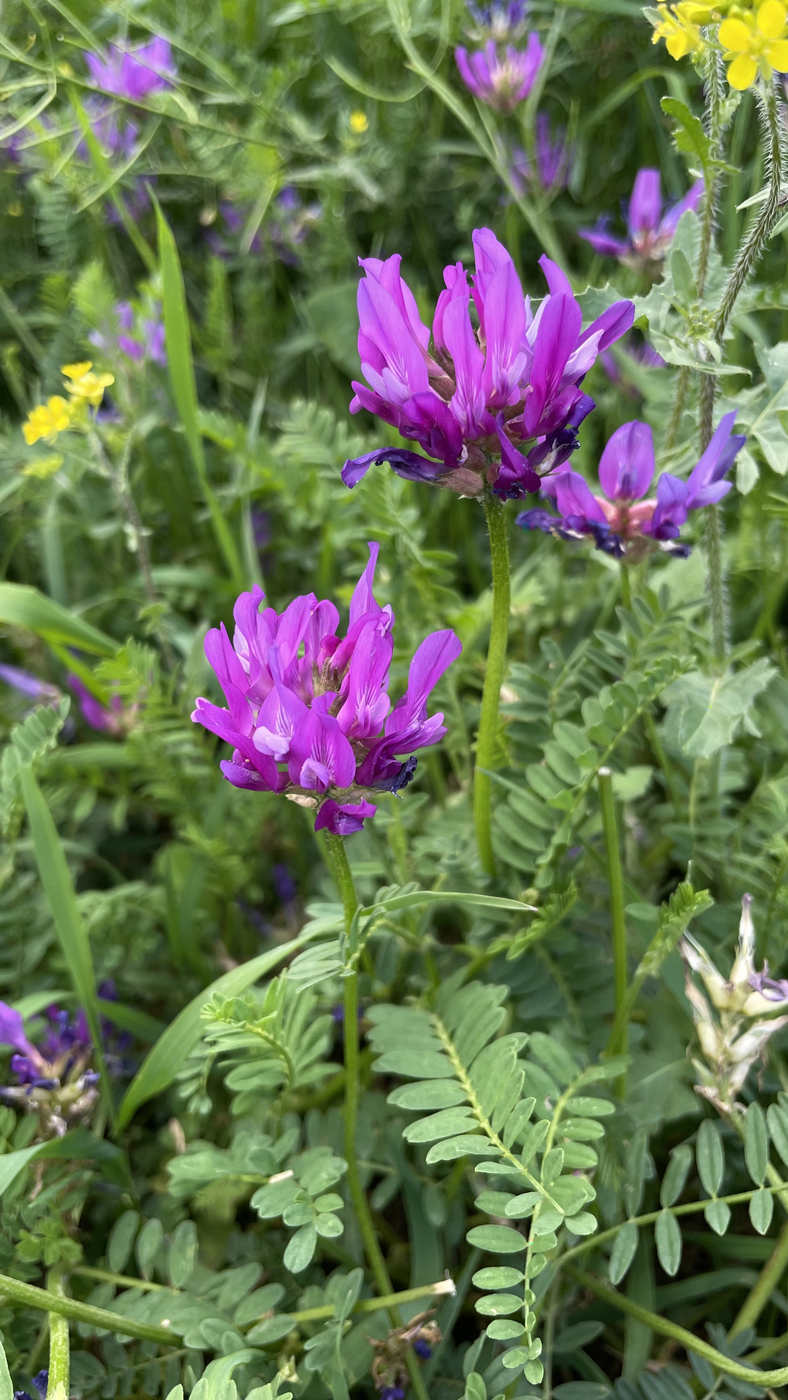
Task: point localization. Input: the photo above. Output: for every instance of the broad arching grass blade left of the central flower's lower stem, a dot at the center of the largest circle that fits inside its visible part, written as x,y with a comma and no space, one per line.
174,1048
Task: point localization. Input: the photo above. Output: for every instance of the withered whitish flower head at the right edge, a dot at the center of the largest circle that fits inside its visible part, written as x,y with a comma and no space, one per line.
736,1018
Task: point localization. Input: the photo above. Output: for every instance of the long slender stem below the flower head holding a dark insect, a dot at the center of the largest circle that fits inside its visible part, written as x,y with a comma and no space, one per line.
344,878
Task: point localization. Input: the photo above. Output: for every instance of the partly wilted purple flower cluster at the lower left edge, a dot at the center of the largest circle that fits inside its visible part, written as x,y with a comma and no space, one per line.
54,1080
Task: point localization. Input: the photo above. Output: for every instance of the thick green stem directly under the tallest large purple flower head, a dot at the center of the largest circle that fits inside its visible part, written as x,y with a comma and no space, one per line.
496,514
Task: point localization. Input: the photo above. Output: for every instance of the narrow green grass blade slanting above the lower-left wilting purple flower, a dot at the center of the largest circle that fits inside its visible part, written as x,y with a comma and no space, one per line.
72,932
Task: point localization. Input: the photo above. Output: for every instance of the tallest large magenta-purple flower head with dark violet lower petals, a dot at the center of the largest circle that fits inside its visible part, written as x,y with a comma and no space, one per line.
499,405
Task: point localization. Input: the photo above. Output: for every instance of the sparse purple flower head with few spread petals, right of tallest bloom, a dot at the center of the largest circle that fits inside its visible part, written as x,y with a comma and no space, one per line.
625,517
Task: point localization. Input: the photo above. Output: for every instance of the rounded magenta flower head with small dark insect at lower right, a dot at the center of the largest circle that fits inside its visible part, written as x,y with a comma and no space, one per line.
309,712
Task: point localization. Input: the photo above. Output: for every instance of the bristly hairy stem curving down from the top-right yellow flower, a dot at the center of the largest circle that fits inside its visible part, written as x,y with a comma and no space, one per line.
771,113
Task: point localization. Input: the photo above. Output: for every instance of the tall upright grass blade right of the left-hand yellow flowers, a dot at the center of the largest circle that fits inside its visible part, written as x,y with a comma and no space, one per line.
185,390
